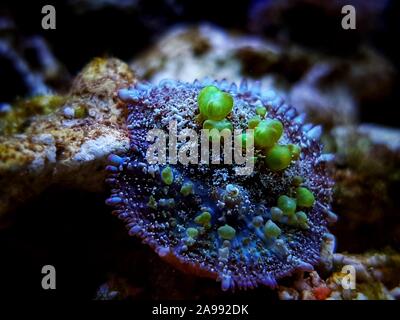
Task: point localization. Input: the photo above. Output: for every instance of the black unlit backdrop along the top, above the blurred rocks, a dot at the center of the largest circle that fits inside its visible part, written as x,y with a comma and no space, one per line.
125,31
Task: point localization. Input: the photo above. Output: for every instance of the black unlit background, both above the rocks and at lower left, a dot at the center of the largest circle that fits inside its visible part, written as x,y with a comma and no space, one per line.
79,237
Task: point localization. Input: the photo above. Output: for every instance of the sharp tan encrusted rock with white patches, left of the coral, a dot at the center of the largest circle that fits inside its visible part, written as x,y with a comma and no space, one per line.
64,140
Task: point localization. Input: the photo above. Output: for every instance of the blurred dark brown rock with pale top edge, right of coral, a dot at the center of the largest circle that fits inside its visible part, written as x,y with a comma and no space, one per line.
367,178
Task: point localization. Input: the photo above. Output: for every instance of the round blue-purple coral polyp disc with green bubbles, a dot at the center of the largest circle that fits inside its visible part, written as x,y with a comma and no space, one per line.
242,230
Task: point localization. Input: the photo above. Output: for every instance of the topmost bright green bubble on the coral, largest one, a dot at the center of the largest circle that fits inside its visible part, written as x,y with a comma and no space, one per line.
214,104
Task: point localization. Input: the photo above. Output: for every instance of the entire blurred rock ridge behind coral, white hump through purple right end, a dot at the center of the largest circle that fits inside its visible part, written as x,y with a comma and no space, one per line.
327,87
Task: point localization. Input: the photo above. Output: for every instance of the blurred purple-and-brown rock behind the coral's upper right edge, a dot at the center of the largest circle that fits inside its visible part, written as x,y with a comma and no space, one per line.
334,91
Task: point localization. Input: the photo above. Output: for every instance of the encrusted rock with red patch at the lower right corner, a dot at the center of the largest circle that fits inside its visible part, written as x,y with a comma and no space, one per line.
375,278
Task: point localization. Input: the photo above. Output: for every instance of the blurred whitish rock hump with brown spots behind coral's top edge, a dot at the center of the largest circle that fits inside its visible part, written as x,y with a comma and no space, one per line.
186,53
